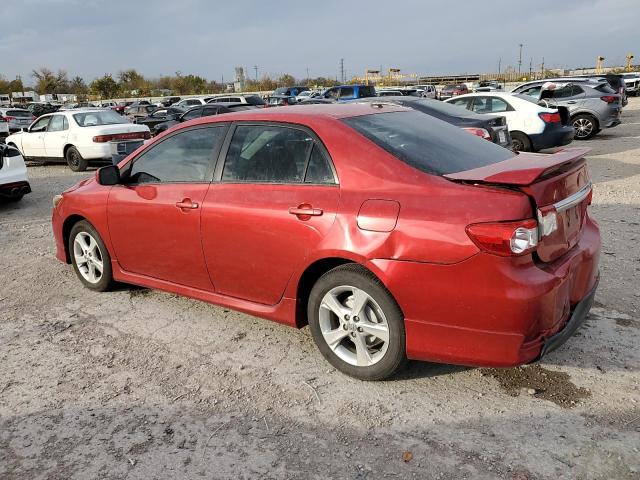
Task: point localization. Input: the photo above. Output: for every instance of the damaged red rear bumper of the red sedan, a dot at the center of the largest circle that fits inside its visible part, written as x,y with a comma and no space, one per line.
493,311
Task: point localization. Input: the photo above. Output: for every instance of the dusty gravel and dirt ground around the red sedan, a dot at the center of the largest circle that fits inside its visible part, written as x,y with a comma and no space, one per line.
140,384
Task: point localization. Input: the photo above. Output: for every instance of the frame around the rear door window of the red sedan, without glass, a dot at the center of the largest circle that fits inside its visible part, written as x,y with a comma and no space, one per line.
217,177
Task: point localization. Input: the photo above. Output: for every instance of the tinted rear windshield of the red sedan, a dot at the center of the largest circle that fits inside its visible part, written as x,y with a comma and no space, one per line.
426,143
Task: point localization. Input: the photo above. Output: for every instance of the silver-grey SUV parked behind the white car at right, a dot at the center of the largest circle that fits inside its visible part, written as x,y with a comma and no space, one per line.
592,105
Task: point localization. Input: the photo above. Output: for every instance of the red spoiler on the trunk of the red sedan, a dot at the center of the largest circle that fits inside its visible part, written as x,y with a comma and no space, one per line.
522,169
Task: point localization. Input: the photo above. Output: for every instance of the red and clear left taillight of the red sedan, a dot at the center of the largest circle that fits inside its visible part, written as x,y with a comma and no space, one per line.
506,239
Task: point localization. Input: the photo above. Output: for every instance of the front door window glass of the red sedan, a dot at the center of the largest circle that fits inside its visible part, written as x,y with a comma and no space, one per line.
183,157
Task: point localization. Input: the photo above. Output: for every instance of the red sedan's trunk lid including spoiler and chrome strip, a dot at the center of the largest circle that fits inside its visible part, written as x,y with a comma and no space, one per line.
559,188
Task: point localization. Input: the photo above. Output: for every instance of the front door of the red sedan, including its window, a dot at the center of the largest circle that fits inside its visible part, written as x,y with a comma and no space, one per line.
154,217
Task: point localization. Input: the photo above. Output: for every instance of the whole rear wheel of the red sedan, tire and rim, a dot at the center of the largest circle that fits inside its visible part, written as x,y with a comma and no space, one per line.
355,349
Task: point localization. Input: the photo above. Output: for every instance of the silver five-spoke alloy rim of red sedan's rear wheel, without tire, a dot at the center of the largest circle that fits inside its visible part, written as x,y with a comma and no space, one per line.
354,326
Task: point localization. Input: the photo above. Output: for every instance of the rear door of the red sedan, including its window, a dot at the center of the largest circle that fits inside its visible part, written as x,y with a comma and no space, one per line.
275,201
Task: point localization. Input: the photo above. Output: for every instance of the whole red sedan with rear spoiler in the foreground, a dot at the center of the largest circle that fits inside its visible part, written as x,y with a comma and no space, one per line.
392,234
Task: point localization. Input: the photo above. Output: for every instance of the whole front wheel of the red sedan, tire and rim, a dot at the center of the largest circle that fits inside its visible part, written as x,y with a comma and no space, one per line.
87,254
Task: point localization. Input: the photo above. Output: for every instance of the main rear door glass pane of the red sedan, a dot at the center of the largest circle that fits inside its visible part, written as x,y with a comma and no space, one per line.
267,154
